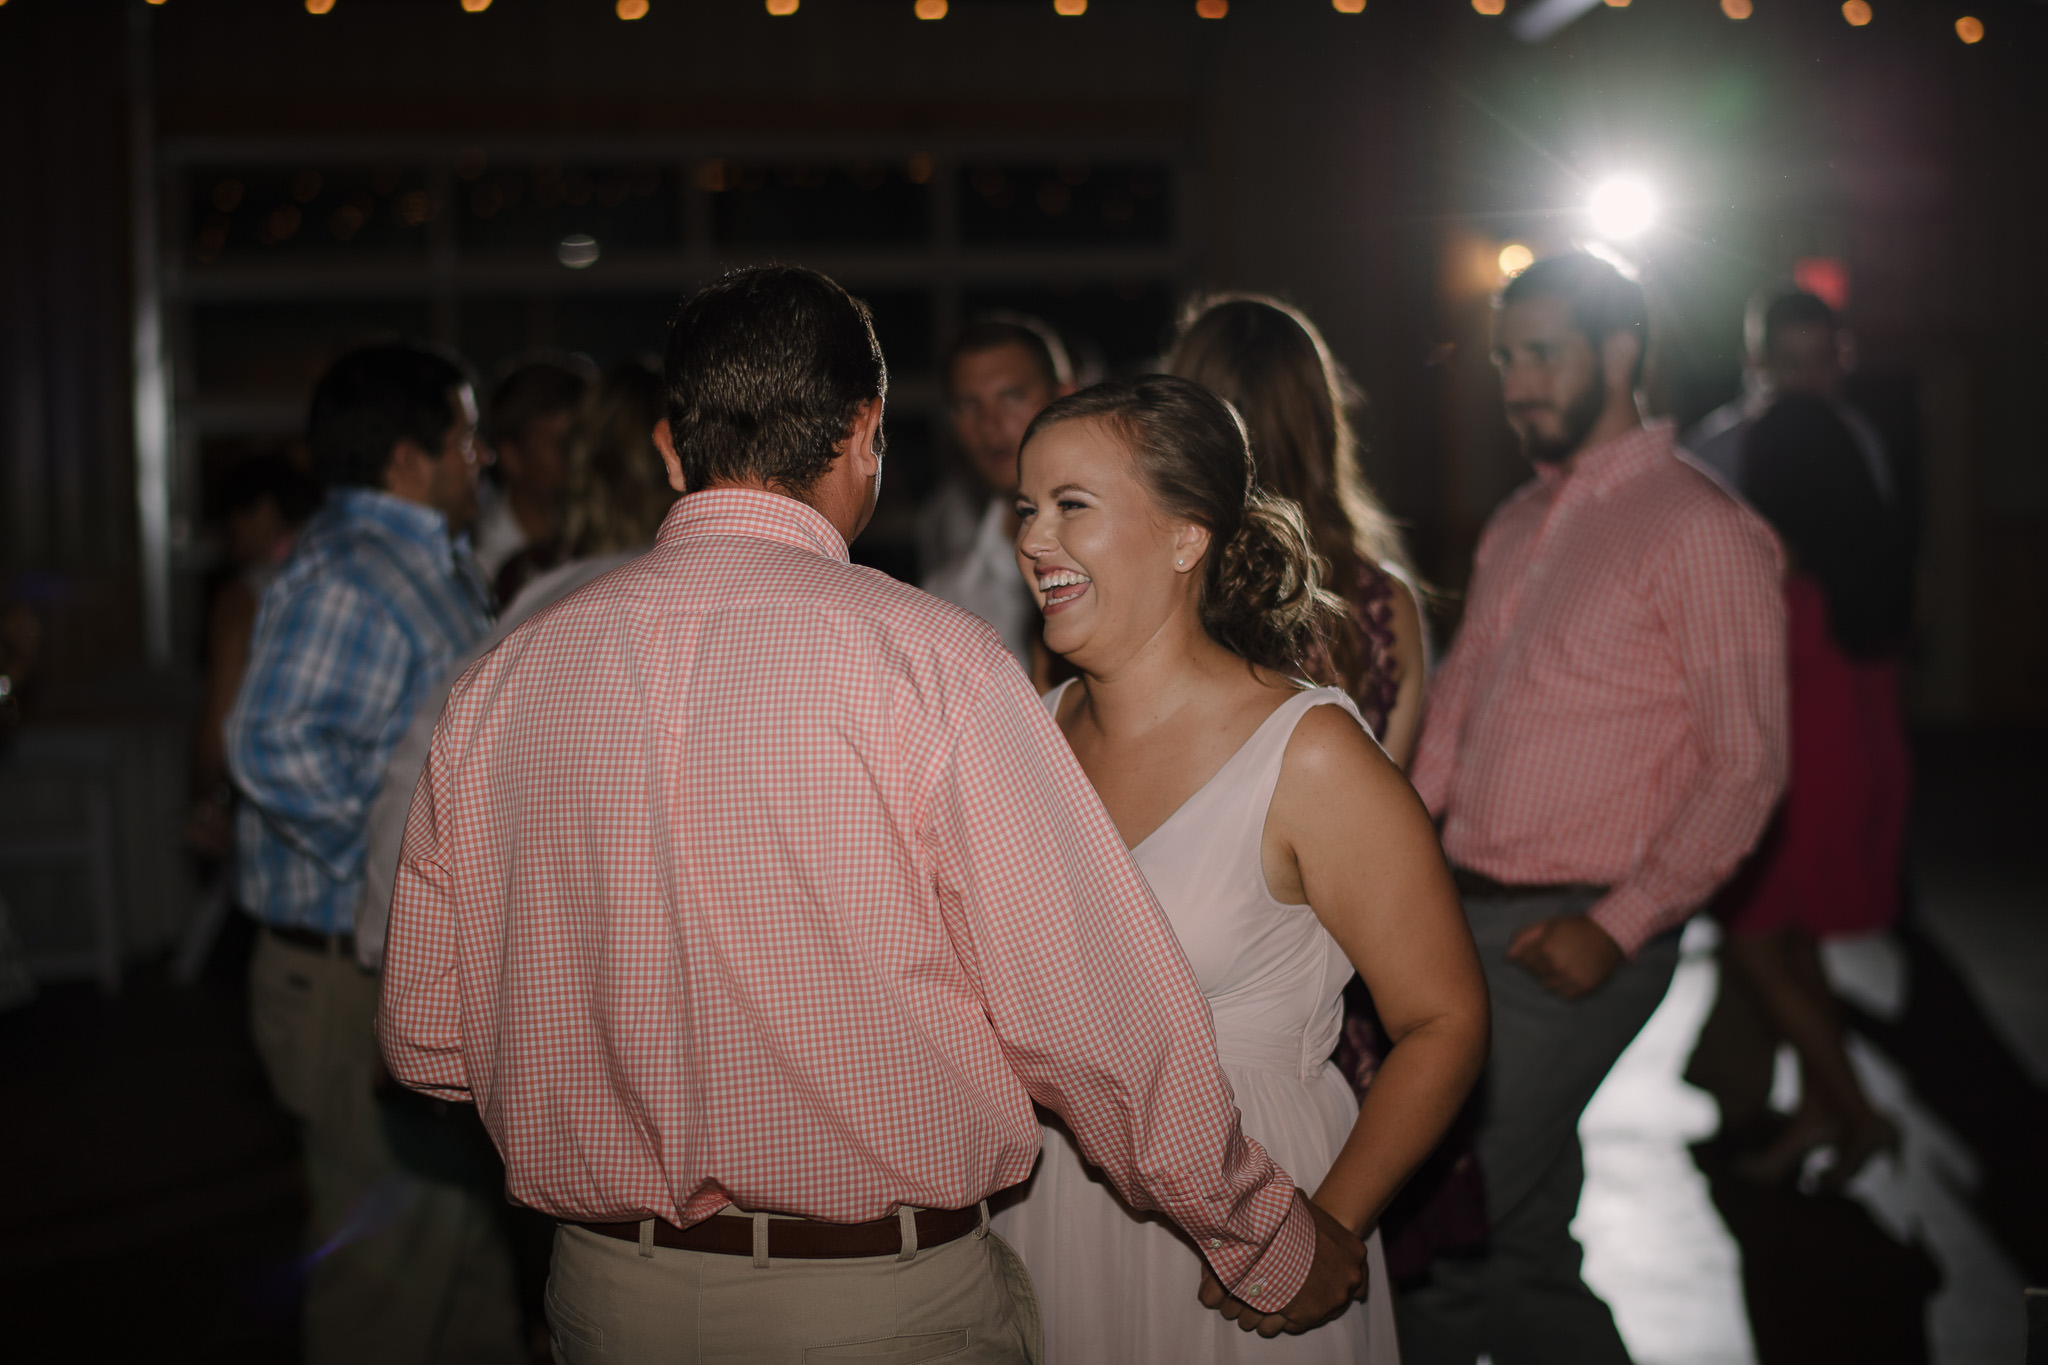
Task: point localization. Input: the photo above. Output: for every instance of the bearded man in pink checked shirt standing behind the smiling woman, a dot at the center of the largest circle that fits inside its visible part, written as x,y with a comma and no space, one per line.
1603,748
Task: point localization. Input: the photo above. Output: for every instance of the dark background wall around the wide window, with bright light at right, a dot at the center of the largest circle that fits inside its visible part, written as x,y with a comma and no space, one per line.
1365,167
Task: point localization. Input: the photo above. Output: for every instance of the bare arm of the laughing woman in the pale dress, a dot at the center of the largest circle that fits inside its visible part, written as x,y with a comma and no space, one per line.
1349,836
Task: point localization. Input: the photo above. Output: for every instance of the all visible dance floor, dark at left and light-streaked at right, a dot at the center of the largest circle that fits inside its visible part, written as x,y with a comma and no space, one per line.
157,1190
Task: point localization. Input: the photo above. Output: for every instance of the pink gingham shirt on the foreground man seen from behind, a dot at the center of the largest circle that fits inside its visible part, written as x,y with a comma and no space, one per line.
753,877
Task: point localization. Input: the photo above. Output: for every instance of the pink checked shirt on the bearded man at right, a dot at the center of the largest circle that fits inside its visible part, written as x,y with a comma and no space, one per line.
1615,709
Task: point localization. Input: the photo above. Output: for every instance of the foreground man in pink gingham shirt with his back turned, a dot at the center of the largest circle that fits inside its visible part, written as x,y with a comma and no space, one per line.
755,899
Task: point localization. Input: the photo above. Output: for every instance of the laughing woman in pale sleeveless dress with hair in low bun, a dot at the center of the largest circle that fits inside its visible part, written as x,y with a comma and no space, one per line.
1281,842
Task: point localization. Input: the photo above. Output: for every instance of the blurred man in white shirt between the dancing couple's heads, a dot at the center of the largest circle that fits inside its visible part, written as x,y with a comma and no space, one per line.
1000,373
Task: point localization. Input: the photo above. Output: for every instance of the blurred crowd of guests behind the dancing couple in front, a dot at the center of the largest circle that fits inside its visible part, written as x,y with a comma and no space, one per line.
1676,691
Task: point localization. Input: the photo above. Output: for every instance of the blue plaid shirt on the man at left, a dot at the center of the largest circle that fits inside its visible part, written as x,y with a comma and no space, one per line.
366,617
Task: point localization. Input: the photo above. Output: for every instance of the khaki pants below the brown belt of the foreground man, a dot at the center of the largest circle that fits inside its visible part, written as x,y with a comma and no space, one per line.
968,1303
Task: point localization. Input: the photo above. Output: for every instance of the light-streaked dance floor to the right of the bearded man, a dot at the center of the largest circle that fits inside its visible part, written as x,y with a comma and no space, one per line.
1924,1260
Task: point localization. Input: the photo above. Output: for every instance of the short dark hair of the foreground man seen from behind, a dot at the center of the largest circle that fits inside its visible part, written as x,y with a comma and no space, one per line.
767,371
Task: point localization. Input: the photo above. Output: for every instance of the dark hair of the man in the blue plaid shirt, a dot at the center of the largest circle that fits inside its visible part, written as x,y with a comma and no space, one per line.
376,398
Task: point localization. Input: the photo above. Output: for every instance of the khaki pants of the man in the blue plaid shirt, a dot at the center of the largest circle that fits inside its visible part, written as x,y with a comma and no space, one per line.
400,1270
